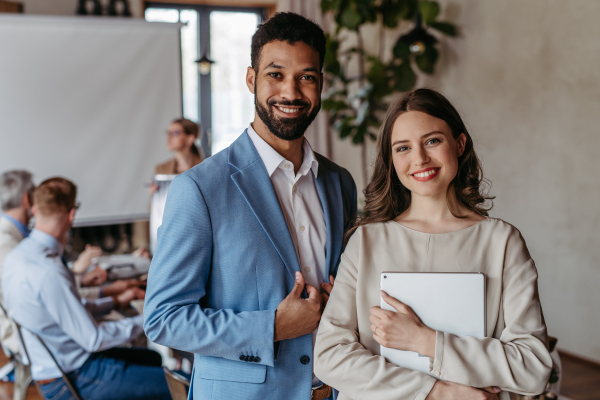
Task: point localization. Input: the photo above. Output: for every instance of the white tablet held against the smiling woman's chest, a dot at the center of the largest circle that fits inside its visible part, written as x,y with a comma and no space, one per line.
452,302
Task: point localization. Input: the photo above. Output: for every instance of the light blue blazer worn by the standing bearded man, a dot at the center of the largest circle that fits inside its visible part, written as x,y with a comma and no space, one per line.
224,261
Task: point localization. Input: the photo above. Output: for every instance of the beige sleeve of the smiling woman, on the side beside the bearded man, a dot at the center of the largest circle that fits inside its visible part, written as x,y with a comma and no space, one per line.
344,363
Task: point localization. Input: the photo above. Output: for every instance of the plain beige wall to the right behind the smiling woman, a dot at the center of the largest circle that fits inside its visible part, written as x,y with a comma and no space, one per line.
525,75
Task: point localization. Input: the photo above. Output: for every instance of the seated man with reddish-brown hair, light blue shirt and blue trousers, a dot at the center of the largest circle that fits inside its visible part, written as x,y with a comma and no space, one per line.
41,295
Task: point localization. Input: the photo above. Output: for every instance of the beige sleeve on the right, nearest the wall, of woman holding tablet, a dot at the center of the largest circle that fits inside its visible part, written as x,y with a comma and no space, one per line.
518,361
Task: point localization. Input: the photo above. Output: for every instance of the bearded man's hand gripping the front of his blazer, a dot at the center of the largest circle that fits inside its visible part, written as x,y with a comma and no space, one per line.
296,316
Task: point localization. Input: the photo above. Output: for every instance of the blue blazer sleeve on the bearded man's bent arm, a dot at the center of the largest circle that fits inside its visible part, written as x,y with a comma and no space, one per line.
177,283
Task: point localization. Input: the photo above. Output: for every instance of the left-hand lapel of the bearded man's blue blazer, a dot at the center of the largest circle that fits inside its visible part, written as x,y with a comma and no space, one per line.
253,182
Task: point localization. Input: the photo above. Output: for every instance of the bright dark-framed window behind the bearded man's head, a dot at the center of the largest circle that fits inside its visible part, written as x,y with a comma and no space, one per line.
220,101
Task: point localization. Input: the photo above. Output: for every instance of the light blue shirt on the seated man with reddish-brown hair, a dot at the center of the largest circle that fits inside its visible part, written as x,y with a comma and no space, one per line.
41,295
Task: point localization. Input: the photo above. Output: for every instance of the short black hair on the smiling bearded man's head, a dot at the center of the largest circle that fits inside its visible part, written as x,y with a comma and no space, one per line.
288,27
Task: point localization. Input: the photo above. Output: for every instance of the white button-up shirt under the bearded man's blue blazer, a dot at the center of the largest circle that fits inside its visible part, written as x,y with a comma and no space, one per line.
302,209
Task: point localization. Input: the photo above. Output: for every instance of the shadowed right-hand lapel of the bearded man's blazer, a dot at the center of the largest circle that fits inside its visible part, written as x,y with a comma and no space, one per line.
330,193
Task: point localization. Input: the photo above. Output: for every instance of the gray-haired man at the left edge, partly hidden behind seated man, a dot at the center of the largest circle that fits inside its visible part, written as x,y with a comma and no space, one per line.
16,199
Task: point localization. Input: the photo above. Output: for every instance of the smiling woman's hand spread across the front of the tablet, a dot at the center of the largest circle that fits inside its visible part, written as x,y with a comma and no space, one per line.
401,330
